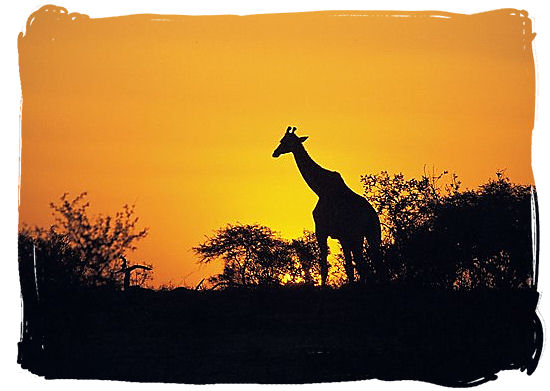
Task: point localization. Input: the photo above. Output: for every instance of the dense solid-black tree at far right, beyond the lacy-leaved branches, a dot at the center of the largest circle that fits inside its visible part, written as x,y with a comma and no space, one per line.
488,233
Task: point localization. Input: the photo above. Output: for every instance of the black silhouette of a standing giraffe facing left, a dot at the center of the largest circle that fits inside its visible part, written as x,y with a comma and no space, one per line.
340,213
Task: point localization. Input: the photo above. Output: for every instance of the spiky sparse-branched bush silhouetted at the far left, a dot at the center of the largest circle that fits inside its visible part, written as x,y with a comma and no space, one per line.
89,251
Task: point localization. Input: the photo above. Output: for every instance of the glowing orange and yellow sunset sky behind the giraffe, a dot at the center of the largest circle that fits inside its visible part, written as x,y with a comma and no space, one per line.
181,114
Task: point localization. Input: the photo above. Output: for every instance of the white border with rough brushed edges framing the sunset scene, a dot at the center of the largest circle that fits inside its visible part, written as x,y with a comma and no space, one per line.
14,19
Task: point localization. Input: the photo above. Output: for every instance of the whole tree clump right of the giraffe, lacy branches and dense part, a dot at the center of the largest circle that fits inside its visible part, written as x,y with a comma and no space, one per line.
438,235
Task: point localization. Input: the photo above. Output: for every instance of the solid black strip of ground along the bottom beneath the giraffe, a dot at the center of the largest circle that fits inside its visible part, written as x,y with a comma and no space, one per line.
286,335
